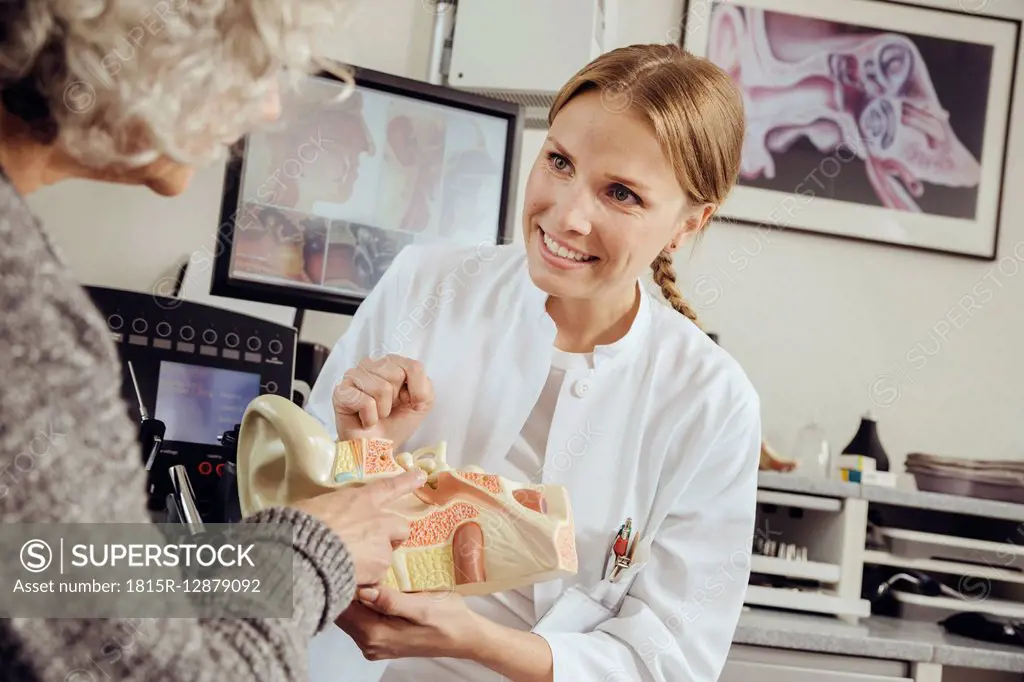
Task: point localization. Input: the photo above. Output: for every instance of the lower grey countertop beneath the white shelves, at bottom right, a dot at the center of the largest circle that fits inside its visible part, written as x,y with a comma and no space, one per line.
878,637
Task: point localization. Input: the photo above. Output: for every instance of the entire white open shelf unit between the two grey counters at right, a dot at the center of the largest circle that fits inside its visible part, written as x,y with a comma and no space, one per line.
832,523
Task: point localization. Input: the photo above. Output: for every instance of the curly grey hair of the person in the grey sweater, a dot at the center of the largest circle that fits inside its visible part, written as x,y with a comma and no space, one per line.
119,83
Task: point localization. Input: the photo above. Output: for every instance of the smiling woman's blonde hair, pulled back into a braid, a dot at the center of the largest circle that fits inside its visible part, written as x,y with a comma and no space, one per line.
698,116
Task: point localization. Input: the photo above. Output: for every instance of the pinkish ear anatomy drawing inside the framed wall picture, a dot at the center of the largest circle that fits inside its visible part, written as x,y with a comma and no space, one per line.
865,95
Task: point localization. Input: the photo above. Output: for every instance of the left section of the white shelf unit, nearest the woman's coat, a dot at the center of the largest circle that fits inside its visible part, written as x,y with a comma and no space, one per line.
833,529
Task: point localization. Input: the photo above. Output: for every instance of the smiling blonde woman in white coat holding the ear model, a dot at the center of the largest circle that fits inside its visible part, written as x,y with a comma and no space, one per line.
552,364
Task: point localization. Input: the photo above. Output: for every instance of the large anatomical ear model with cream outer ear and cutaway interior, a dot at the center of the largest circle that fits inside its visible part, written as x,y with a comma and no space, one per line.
471,532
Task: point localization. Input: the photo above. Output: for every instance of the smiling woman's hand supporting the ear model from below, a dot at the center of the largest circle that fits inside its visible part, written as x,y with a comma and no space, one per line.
388,624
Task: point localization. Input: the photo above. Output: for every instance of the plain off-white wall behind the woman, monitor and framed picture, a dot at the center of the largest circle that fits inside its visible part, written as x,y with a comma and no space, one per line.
802,314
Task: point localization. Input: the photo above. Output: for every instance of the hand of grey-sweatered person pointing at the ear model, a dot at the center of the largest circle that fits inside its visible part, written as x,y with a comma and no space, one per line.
360,517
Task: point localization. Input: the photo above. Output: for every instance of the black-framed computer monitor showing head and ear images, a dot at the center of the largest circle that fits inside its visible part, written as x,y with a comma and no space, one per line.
316,208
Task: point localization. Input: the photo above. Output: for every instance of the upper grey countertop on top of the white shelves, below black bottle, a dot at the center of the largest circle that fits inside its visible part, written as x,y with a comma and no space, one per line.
775,481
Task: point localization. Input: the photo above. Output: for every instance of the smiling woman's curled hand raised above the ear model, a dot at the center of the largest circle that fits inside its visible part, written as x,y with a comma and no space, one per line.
388,398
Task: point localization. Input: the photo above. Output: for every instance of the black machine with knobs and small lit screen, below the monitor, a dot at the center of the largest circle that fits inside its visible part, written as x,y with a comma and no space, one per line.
189,372
